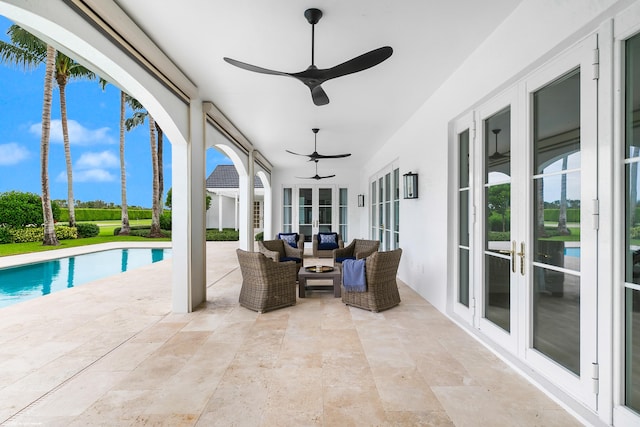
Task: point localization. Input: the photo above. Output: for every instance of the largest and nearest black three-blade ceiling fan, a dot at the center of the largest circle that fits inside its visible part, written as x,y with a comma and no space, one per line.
313,77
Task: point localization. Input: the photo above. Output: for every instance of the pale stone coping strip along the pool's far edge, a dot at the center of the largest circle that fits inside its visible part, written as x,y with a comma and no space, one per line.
33,257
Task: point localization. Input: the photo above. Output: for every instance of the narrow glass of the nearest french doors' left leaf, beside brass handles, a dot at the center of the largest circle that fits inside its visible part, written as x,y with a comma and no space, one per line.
498,249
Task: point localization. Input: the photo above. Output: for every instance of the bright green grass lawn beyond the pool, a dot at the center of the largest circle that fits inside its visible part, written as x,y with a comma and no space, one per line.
105,236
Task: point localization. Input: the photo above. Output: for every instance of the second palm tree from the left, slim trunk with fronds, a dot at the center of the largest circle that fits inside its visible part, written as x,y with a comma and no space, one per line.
66,69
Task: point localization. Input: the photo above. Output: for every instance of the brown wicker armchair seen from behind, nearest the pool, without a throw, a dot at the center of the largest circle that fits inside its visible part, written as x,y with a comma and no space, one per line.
266,285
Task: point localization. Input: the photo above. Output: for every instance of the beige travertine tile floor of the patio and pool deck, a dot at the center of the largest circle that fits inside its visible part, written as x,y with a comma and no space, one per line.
111,353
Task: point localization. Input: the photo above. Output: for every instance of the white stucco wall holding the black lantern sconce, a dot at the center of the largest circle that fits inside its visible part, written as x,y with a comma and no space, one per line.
534,32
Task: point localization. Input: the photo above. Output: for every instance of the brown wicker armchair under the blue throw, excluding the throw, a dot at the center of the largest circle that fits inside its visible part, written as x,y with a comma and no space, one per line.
382,293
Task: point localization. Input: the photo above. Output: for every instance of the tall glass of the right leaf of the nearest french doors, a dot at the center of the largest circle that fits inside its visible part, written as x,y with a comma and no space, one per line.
556,212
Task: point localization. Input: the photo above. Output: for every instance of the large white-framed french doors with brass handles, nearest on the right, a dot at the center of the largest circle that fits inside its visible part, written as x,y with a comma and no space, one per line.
527,229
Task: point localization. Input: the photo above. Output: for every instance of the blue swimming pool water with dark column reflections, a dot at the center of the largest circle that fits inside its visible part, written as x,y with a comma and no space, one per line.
30,281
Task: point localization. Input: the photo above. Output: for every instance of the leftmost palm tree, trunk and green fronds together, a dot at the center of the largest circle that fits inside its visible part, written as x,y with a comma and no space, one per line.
27,52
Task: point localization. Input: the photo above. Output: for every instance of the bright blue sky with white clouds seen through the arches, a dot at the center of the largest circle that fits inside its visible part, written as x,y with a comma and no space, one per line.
93,116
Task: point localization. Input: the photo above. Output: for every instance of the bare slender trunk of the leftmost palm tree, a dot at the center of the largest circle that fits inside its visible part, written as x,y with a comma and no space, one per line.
50,238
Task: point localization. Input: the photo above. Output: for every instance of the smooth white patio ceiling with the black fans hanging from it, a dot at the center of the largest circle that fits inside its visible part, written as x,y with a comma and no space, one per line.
430,38
